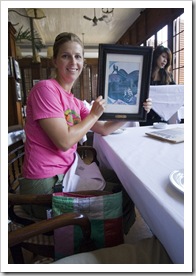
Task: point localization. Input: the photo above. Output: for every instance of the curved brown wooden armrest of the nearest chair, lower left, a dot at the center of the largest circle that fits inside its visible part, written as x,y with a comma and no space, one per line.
19,239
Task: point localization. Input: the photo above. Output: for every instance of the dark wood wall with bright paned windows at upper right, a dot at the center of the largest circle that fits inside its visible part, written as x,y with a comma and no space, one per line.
144,32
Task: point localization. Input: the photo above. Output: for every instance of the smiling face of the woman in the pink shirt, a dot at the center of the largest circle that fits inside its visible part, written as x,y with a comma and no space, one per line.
69,61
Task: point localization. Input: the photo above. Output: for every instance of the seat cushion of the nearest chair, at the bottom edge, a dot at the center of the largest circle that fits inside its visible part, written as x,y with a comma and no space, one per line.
146,251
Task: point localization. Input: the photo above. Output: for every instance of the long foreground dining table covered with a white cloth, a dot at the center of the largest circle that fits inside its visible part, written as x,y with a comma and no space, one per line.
144,166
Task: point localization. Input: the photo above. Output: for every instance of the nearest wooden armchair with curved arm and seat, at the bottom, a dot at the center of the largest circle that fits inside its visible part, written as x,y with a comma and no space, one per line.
145,251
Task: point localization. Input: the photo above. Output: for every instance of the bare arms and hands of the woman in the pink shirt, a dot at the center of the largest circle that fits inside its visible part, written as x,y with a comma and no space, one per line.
65,136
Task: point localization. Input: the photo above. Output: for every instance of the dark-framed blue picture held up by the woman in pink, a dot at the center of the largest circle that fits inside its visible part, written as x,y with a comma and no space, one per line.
124,80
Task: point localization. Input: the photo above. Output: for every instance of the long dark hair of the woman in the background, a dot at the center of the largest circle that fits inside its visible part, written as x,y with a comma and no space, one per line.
165,74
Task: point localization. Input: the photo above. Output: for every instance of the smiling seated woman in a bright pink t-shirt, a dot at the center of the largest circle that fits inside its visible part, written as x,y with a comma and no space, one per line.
57,121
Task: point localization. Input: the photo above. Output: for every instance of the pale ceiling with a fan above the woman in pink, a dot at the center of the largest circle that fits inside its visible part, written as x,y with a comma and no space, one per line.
71,19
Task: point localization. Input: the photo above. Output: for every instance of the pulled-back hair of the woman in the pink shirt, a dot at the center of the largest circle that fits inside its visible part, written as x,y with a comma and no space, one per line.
62,38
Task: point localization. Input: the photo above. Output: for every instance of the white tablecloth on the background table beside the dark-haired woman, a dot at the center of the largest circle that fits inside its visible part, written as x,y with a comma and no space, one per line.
167,99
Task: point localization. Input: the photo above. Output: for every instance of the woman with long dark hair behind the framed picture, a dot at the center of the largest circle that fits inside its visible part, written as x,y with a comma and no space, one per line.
161,75
